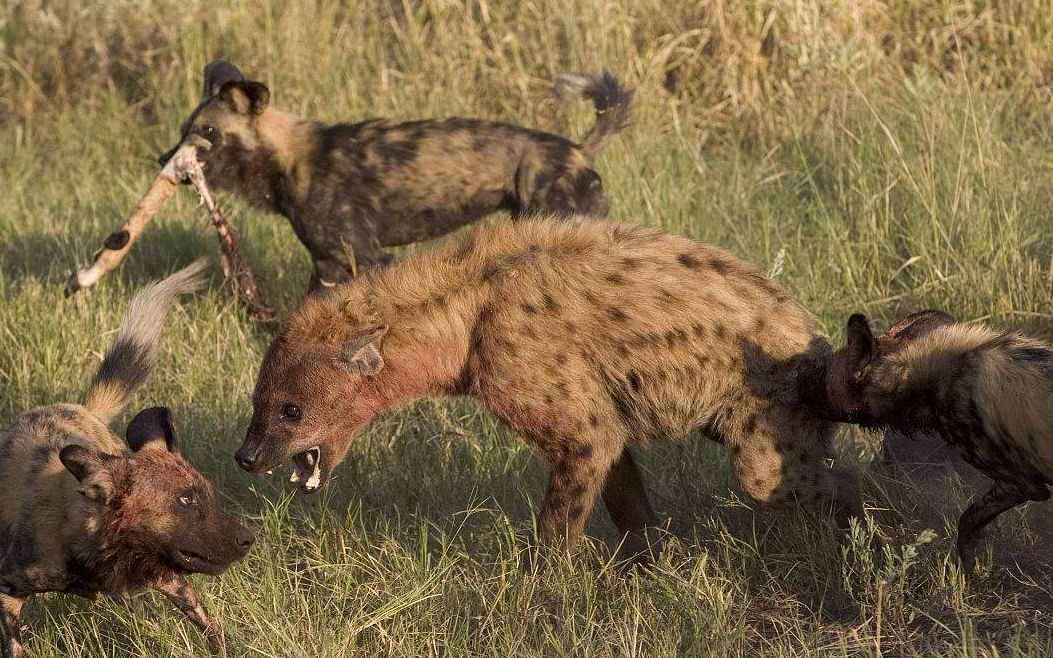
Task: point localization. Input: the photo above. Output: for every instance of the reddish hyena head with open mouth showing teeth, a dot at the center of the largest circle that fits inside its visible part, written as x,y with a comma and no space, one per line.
310,401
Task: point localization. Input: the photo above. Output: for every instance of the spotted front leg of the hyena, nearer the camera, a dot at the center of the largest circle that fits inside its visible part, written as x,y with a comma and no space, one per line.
579,470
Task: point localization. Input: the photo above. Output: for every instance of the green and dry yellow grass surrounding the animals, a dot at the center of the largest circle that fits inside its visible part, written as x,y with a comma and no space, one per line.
875,156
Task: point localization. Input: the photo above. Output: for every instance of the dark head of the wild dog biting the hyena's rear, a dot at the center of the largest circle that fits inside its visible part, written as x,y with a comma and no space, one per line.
852,386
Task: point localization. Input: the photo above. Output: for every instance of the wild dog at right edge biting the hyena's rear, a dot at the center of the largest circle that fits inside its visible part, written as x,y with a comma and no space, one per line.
988,393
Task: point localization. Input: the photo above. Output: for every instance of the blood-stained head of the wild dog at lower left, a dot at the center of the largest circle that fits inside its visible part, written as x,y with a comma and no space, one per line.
158,510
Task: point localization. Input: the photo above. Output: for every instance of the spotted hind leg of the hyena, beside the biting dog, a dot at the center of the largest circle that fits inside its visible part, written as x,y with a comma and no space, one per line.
780,458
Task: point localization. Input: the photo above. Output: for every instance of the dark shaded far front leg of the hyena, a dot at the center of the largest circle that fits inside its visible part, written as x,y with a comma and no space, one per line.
627,503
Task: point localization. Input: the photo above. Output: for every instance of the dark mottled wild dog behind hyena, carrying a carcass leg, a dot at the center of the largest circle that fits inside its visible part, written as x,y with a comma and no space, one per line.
352,189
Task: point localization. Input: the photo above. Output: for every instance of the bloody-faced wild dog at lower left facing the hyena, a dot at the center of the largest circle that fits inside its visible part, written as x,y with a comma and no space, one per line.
85,513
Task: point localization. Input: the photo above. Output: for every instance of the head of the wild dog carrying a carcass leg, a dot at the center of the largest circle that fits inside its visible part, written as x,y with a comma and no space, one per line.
225,125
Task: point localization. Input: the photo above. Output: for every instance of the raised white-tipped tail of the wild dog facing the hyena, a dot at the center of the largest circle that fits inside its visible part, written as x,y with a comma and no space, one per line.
130,360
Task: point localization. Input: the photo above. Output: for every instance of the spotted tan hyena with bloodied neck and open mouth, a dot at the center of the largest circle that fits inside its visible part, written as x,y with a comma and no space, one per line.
585,337
